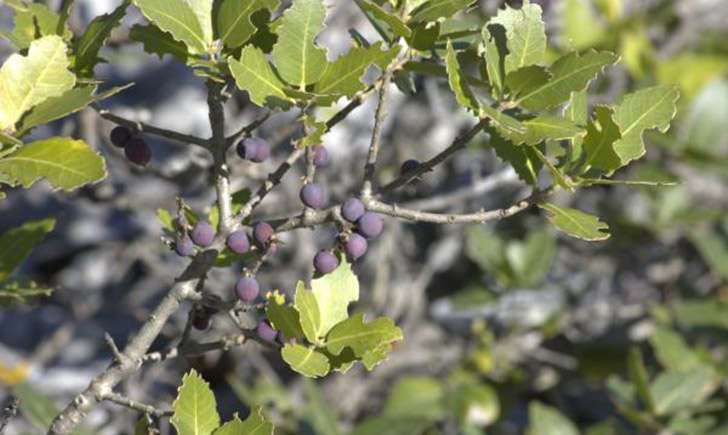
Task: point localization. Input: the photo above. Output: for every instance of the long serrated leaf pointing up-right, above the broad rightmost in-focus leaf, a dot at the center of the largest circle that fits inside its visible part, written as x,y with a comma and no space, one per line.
570,73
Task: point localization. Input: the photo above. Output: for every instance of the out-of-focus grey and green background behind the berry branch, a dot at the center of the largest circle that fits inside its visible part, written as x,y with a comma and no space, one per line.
508,326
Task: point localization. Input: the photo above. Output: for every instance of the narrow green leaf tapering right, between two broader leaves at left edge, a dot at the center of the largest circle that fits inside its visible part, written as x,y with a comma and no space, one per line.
58,107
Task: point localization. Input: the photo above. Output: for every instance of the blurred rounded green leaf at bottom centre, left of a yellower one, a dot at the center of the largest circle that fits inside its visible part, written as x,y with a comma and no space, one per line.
416,396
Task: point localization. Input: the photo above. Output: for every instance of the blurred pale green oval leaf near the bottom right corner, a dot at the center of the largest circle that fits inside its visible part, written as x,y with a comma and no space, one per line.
676,390
